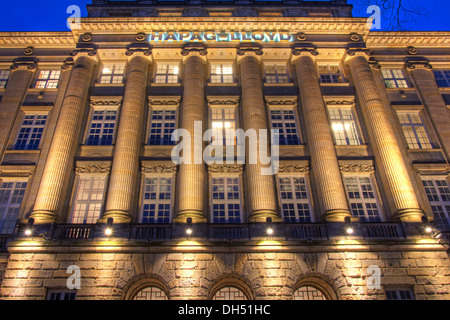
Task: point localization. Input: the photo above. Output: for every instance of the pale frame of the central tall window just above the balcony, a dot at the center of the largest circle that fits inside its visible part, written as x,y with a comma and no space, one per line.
224,201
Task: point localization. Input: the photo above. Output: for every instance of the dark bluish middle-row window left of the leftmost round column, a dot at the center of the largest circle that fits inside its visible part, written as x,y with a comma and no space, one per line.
30,132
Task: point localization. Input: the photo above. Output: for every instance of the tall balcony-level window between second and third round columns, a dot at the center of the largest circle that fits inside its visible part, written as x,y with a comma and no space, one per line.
157,200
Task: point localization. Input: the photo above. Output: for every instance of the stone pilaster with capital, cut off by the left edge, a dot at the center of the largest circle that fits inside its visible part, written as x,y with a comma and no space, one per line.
18,83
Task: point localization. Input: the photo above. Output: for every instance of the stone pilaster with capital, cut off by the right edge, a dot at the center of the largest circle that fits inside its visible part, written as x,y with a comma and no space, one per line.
425,83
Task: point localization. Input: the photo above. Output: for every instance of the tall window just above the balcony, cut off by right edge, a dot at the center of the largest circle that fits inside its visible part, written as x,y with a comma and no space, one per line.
438,193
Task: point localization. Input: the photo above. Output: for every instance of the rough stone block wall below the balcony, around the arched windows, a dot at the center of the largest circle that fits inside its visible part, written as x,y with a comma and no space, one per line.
193,275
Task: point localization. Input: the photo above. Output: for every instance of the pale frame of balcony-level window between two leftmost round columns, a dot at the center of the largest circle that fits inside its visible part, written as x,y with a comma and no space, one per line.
87,218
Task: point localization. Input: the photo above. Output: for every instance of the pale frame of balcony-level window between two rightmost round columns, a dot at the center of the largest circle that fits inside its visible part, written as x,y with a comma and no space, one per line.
362,200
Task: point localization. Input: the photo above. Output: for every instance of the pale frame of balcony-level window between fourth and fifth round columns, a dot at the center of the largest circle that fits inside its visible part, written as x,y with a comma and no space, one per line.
308,201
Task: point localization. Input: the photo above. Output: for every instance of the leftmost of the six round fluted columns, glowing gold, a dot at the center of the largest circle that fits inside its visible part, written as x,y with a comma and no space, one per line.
65,139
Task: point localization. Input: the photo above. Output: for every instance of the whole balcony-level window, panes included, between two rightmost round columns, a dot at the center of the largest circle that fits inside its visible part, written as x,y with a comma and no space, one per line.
362,198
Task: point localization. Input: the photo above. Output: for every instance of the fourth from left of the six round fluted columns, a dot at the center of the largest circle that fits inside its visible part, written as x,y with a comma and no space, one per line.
261,188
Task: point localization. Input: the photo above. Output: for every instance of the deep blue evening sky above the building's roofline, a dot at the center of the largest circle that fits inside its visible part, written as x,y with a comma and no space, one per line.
50,15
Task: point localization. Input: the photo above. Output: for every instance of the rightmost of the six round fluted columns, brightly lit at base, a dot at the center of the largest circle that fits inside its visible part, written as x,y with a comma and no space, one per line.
381,133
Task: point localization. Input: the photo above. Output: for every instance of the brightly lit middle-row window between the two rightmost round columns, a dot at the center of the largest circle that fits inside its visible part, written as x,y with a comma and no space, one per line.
343,126
